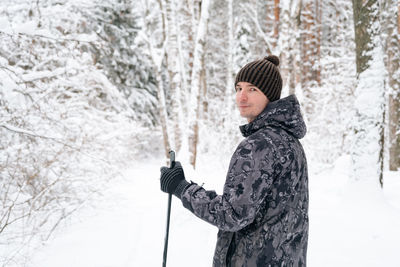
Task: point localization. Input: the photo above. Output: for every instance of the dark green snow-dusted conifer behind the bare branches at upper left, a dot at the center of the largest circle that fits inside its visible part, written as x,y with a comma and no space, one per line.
120,55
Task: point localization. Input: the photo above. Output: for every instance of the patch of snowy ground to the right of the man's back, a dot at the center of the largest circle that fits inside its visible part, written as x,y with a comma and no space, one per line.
351,222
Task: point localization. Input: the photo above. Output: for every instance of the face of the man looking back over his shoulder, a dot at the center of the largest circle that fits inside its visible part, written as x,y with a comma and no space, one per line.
250,100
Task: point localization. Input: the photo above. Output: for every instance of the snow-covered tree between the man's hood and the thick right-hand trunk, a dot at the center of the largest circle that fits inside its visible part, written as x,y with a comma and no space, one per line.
330,123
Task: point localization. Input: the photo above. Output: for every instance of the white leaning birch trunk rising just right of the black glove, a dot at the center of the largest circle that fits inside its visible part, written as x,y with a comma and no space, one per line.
196,95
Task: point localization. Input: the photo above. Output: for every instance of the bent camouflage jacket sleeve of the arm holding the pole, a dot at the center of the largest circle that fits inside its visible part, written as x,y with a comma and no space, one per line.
249,180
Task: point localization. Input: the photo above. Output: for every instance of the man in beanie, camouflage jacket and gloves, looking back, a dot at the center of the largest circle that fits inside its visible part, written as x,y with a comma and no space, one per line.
262,215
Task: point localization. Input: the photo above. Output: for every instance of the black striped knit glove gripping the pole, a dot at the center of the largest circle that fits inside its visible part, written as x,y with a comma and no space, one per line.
172,179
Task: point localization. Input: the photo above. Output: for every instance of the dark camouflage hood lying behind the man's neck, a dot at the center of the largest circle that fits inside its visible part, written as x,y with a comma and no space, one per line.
283,113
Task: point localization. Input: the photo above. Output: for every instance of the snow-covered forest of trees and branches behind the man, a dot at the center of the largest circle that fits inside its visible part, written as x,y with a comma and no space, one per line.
88,87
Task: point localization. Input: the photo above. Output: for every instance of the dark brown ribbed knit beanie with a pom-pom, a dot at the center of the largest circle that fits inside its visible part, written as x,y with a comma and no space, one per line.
264,74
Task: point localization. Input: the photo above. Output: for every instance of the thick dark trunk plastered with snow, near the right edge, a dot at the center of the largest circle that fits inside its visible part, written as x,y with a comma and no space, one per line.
368,146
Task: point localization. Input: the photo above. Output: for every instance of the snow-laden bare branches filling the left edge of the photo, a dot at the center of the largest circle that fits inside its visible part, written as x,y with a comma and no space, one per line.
58,112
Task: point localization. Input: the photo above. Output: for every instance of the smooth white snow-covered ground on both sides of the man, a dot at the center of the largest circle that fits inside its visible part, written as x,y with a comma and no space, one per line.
351,224
